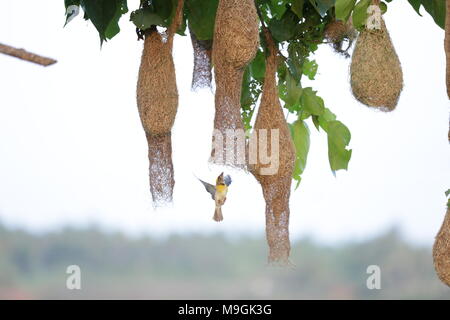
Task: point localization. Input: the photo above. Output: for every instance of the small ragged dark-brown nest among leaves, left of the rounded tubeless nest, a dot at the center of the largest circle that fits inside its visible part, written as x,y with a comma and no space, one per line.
341,36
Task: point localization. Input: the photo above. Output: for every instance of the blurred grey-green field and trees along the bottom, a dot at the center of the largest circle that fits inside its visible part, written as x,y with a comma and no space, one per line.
208,267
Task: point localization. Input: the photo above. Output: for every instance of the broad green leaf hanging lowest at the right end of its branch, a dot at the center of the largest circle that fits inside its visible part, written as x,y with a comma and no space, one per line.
338,139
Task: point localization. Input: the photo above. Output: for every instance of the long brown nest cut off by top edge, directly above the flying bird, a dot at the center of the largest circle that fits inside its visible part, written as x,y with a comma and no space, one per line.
235,43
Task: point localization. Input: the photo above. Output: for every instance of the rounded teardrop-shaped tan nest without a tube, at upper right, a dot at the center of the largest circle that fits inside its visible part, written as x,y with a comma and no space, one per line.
375,73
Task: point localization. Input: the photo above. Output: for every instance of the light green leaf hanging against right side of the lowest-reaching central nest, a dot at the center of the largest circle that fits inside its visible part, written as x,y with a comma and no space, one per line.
300,136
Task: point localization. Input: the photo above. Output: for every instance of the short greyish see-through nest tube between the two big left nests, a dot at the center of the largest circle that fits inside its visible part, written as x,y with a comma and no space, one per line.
201,76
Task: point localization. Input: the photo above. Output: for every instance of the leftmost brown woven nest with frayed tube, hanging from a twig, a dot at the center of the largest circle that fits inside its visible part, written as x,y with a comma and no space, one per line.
157,100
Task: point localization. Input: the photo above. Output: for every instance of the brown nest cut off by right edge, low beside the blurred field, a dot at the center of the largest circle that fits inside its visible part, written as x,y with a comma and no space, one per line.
441,251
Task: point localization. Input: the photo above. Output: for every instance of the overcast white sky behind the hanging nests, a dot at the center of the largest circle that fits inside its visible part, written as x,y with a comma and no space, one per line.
73,152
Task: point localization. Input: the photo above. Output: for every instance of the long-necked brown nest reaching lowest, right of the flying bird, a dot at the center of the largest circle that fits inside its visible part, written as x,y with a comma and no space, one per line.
276,185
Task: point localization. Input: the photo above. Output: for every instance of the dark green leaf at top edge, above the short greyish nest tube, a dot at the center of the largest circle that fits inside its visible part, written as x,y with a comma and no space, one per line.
201,15
